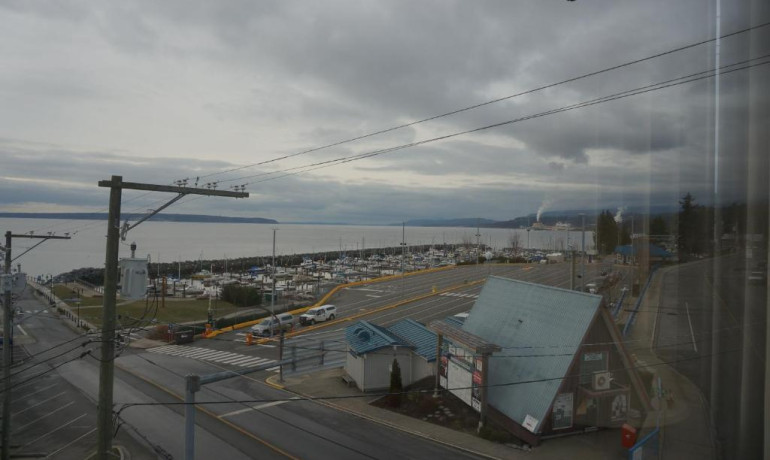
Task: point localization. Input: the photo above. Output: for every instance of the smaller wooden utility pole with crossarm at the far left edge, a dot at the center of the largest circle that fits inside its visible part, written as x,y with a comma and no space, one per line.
7,318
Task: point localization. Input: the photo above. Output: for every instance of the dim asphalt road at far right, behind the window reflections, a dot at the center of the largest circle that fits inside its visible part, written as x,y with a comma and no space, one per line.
711,325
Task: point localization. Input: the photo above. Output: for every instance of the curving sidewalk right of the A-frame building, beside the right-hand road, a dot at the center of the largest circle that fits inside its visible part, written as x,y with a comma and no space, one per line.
684,415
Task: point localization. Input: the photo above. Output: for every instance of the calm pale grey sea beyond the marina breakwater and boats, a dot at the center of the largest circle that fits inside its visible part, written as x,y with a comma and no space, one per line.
182,241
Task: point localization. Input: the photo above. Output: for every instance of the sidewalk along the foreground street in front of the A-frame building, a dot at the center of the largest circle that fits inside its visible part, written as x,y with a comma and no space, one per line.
603,444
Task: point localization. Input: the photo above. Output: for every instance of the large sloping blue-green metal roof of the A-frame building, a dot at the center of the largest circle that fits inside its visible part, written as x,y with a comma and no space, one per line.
529,319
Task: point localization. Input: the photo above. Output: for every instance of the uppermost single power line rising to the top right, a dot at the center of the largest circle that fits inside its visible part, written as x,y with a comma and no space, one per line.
493,101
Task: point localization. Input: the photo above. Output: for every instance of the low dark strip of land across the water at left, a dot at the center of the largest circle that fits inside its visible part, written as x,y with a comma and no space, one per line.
133,217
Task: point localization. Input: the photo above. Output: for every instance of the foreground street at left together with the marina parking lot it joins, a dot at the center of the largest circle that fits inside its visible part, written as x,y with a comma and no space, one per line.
240,417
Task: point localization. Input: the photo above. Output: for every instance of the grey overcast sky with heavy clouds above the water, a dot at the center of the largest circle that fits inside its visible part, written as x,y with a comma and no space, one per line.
159,91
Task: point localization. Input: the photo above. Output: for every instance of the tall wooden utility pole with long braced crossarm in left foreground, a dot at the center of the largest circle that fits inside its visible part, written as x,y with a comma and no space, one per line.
107,367
